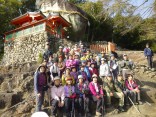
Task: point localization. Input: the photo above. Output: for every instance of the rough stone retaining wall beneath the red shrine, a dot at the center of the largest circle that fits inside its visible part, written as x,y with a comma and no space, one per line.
25,49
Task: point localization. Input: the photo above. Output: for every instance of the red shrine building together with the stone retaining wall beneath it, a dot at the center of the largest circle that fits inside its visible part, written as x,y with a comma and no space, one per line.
29,37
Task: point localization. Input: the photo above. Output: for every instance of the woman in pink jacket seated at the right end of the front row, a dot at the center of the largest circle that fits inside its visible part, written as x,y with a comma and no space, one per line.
133,87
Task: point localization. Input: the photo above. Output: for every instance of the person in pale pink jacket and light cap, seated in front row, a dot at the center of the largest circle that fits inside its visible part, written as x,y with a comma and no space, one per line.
57,96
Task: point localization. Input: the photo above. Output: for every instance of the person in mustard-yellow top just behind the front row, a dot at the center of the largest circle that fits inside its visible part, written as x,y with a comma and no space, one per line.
67,75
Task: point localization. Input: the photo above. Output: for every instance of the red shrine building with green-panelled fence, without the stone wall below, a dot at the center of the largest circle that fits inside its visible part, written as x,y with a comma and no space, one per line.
33,22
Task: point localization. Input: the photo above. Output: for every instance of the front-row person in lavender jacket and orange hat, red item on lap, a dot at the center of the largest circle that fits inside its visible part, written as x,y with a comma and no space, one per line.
70,96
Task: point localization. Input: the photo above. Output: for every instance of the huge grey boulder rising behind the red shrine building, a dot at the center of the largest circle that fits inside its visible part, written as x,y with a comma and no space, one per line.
73,14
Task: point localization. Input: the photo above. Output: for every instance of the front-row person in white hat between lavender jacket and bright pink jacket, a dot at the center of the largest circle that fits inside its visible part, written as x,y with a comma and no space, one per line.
82,91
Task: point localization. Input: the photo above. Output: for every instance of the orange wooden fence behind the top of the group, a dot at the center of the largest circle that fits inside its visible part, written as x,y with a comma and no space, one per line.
103,47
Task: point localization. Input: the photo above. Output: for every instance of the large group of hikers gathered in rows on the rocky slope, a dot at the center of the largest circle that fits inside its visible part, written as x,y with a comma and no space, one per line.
76,77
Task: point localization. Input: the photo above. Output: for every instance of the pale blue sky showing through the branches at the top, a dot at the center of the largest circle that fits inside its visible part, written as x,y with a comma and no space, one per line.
144,10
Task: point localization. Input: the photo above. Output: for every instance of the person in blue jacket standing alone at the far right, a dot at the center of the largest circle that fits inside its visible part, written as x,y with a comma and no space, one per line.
149,55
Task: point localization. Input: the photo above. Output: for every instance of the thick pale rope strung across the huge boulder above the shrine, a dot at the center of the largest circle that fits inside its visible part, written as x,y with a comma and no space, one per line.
64,11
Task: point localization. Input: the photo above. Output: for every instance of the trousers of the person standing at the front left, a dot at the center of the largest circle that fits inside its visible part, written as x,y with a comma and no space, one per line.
39,101
